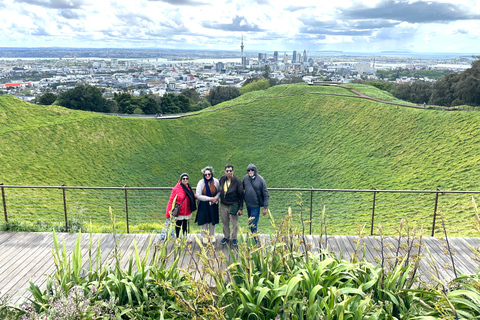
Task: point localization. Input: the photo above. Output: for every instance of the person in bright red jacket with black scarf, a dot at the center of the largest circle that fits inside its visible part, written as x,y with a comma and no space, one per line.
185,196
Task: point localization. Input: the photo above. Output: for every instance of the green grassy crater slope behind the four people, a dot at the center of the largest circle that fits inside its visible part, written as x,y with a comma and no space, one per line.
302,140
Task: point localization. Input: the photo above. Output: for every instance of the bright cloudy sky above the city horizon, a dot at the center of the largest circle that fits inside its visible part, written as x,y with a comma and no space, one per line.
451,26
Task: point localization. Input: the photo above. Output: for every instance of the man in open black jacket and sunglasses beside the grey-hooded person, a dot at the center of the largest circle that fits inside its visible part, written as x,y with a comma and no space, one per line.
231,204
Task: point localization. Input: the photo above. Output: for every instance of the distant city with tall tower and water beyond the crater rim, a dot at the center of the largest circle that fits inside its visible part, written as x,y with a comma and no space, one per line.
29,72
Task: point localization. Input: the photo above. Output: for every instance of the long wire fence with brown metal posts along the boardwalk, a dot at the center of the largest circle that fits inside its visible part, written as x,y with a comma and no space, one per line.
142,209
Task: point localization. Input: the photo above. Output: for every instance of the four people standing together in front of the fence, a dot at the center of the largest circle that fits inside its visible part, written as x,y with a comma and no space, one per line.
225,196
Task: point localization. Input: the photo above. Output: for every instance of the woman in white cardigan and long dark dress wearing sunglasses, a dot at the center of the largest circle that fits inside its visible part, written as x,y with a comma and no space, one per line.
208,192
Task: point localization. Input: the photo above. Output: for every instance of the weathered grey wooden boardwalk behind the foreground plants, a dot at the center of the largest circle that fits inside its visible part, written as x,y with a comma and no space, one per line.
26,256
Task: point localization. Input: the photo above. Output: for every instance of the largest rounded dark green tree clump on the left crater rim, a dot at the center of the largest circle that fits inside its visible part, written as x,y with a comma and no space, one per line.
83,97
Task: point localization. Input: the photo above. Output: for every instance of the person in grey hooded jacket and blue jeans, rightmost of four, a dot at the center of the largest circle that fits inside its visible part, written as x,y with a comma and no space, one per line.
256,195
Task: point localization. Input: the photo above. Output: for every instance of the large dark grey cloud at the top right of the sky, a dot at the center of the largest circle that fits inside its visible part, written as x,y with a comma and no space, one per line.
415,12
